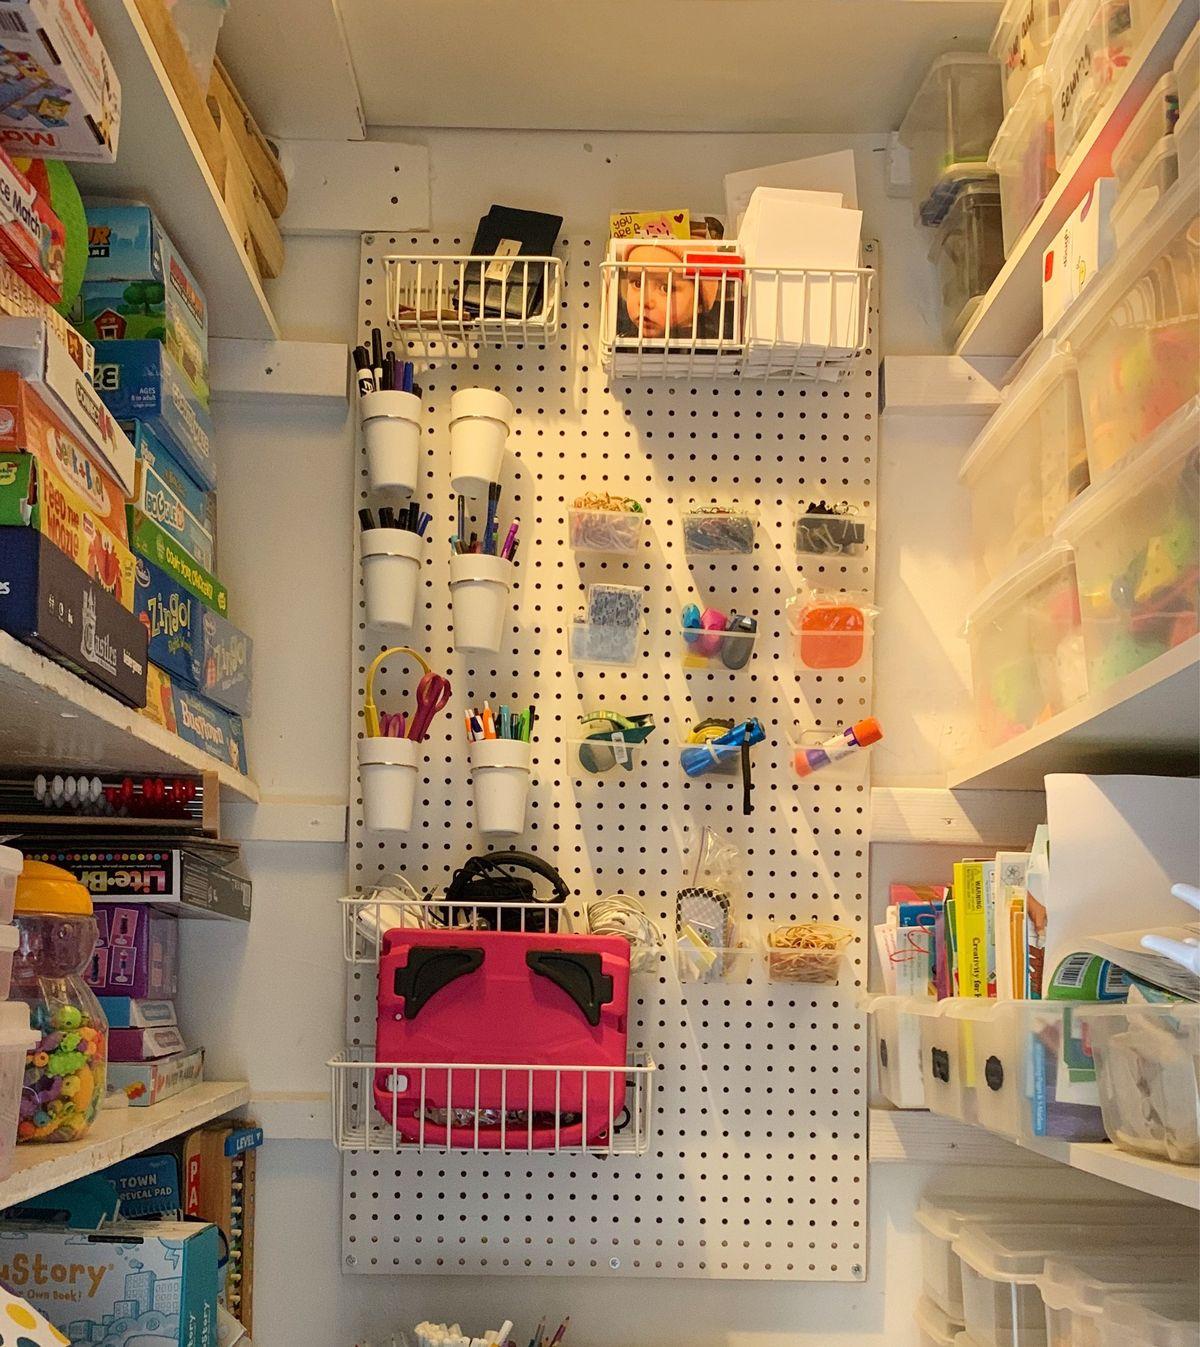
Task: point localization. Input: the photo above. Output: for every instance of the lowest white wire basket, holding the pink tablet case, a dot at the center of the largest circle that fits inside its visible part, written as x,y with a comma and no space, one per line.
390,1107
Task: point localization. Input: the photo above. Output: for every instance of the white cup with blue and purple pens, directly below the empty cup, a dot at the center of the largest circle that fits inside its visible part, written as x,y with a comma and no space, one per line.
481,576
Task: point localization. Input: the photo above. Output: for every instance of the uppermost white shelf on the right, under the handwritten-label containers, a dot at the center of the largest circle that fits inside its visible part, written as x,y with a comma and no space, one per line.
1011,313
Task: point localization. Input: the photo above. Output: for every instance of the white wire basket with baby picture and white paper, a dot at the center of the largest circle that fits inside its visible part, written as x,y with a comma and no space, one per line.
755,323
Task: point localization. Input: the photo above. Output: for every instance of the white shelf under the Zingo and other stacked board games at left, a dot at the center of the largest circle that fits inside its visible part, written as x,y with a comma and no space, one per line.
52,719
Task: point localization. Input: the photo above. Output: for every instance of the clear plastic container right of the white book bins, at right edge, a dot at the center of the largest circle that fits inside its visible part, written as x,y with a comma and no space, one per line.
1148,1063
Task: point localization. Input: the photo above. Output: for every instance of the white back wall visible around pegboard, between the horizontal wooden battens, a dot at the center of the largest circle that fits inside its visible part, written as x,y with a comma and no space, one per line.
286,511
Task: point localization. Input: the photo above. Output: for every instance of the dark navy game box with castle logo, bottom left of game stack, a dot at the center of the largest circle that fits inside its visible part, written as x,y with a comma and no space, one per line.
52,605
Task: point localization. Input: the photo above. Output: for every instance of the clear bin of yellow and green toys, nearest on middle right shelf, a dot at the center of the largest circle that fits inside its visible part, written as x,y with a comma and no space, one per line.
1137,557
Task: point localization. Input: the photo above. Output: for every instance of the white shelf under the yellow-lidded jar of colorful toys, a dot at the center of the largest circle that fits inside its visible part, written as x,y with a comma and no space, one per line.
118,1135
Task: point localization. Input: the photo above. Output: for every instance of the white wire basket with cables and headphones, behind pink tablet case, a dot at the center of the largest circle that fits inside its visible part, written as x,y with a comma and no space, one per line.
366,919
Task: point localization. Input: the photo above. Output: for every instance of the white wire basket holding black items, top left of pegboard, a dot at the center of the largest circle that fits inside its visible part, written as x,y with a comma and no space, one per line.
441,304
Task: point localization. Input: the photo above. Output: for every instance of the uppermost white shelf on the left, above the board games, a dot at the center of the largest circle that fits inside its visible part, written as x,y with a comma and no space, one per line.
160,162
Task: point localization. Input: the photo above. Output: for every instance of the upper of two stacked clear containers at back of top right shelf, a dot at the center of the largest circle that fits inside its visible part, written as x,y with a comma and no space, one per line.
949,130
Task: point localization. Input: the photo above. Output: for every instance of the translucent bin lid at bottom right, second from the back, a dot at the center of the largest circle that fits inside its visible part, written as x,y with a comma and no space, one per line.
1018,1253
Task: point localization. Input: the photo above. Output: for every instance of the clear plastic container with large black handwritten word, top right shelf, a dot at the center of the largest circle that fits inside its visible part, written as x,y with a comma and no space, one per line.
1092,49
